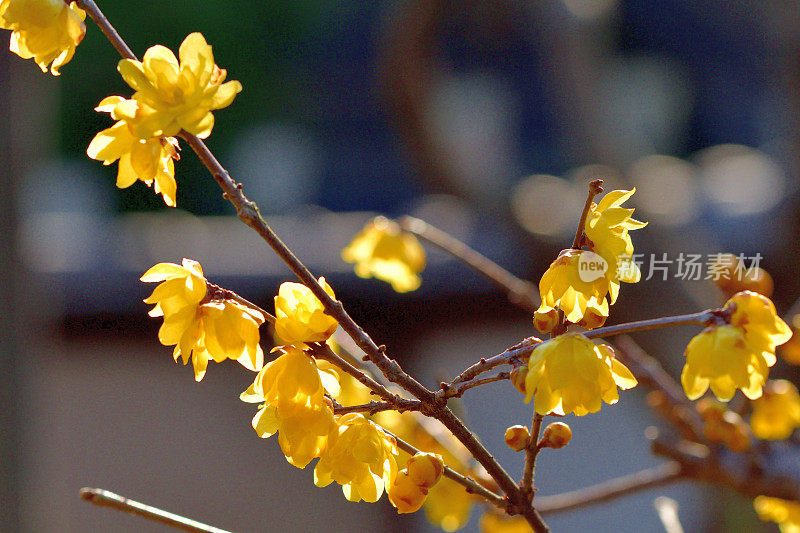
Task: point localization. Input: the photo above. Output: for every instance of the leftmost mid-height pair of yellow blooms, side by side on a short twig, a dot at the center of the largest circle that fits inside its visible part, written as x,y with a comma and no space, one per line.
215,330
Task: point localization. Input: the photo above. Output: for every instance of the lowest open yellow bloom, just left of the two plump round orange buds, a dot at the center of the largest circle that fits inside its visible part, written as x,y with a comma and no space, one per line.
362,459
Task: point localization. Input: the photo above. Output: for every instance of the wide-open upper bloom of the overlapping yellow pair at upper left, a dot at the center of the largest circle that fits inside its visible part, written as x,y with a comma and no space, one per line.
172,95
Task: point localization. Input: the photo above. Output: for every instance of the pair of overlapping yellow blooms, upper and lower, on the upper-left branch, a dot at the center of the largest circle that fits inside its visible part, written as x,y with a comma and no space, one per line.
171,96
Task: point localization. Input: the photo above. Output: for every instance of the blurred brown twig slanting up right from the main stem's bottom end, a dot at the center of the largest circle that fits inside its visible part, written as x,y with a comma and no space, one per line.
612,489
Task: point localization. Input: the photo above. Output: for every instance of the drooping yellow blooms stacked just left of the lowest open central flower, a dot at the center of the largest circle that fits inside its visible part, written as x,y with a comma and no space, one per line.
292,390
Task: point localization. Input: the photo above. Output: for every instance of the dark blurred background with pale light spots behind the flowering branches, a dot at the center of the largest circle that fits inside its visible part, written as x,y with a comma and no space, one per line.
486,119
